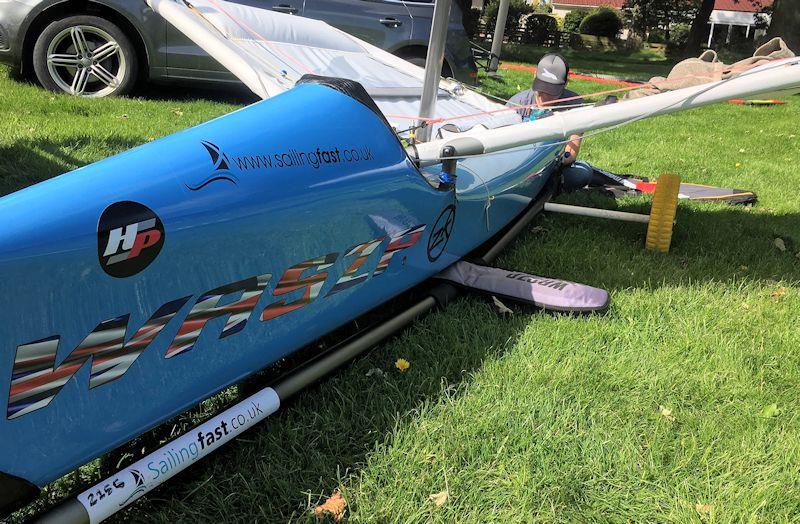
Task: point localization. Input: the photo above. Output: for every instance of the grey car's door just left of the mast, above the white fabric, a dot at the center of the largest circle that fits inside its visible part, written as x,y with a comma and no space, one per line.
383,23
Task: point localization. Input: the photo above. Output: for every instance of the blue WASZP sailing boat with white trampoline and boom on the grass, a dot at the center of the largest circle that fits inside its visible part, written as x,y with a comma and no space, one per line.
148,281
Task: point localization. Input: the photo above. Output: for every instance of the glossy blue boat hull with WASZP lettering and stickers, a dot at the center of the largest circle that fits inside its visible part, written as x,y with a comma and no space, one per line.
137,286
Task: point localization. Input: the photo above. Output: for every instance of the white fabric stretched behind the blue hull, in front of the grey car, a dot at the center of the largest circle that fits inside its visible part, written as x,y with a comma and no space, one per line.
269,51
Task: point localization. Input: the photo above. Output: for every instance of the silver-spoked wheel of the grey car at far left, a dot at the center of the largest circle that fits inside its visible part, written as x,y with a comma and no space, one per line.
85,56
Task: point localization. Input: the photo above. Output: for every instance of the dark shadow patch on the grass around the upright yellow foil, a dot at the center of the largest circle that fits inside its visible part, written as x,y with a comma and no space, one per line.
711,243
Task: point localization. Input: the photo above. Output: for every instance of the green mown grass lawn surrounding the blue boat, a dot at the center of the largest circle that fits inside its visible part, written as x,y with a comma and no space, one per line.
678,405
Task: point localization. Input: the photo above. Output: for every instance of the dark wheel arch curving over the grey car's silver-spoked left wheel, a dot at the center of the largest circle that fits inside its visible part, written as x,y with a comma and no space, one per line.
65,8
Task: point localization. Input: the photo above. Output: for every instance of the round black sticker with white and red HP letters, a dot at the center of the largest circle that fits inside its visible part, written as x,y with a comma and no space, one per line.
129,237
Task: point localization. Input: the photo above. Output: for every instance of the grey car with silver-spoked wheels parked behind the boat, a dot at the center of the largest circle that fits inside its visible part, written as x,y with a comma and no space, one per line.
105,47
